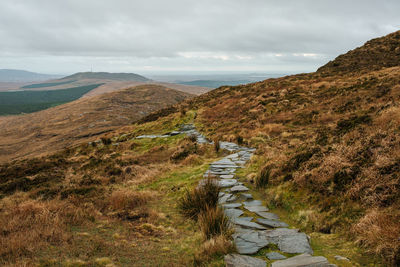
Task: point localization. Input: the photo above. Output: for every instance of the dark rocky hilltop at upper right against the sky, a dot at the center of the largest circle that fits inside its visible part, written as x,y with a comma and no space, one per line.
375,54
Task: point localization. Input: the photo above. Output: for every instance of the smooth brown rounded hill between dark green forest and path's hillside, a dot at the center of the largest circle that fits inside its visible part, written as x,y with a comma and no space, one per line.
76,122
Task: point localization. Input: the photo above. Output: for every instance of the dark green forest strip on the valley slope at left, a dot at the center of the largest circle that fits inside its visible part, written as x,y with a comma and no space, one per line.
31,101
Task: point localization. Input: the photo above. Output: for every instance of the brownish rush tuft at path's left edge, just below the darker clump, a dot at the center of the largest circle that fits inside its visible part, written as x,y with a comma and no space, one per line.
213,222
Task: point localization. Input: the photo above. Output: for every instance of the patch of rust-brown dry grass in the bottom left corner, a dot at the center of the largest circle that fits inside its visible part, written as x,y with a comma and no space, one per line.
27,226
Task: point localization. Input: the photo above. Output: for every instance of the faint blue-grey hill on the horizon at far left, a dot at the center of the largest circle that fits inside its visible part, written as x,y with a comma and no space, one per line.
9,75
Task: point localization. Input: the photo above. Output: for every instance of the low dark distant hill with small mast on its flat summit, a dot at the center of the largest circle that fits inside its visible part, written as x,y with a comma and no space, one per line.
107,76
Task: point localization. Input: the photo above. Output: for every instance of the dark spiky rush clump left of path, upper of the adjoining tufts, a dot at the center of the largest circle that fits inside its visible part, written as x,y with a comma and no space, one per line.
199,199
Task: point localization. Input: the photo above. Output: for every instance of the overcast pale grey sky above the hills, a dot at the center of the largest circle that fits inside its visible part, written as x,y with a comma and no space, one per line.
187,36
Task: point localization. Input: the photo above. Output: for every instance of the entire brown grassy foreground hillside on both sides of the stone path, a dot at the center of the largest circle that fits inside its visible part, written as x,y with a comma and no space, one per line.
328,145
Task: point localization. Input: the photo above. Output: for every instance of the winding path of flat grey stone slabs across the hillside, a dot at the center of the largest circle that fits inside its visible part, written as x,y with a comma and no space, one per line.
255,227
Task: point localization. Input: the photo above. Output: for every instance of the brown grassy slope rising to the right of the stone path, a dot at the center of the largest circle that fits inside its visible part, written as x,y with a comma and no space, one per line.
331,143
